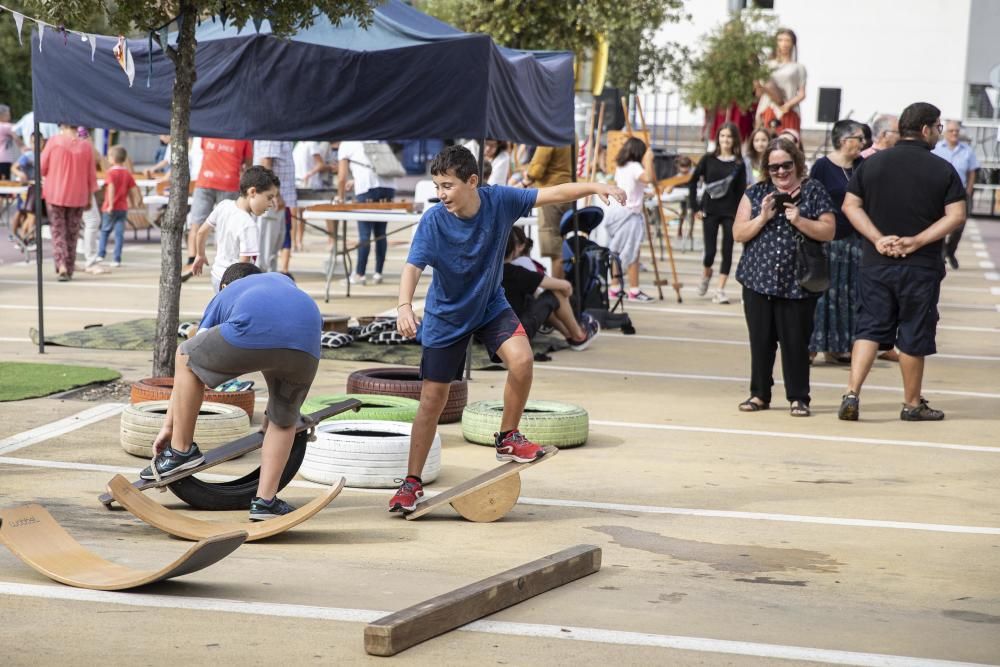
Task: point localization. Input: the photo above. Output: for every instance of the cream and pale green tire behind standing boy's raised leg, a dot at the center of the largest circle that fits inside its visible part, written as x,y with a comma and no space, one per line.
546,423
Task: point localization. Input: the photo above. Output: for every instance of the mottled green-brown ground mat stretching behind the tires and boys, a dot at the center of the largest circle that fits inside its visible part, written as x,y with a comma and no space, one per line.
140,334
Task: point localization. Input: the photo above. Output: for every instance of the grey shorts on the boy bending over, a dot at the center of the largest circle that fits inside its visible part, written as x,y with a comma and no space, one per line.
289,373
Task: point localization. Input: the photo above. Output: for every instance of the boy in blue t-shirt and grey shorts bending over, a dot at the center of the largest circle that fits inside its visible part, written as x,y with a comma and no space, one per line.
262,323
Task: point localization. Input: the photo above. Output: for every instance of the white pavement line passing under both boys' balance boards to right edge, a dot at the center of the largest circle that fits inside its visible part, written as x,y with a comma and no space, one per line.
558,502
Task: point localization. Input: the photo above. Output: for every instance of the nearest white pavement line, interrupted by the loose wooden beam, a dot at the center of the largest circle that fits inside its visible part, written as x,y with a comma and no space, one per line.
507,628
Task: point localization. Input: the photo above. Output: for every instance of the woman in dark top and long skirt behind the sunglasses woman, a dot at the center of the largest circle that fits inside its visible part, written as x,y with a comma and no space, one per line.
833,332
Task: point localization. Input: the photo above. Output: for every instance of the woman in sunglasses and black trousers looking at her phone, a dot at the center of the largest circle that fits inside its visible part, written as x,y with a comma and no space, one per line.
771,216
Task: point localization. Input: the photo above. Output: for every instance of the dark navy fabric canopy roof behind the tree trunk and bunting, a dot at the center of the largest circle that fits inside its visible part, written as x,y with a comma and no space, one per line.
407,76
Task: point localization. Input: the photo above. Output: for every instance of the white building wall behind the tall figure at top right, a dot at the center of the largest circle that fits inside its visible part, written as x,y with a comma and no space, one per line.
882,54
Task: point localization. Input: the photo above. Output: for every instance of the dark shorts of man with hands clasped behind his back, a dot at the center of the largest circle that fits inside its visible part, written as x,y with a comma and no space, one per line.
898,307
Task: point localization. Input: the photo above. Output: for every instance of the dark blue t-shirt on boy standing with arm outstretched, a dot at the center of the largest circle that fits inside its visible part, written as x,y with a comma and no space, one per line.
467,257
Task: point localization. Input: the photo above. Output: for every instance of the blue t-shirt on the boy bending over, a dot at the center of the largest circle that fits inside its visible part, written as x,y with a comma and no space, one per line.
266,311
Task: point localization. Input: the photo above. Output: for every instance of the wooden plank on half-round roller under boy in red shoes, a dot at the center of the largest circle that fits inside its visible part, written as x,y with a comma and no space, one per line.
486,497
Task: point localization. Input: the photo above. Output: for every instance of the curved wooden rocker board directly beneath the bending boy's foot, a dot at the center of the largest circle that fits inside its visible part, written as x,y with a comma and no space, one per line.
189,528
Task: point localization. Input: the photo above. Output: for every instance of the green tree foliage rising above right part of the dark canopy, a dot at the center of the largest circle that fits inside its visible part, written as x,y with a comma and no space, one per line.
573,25
